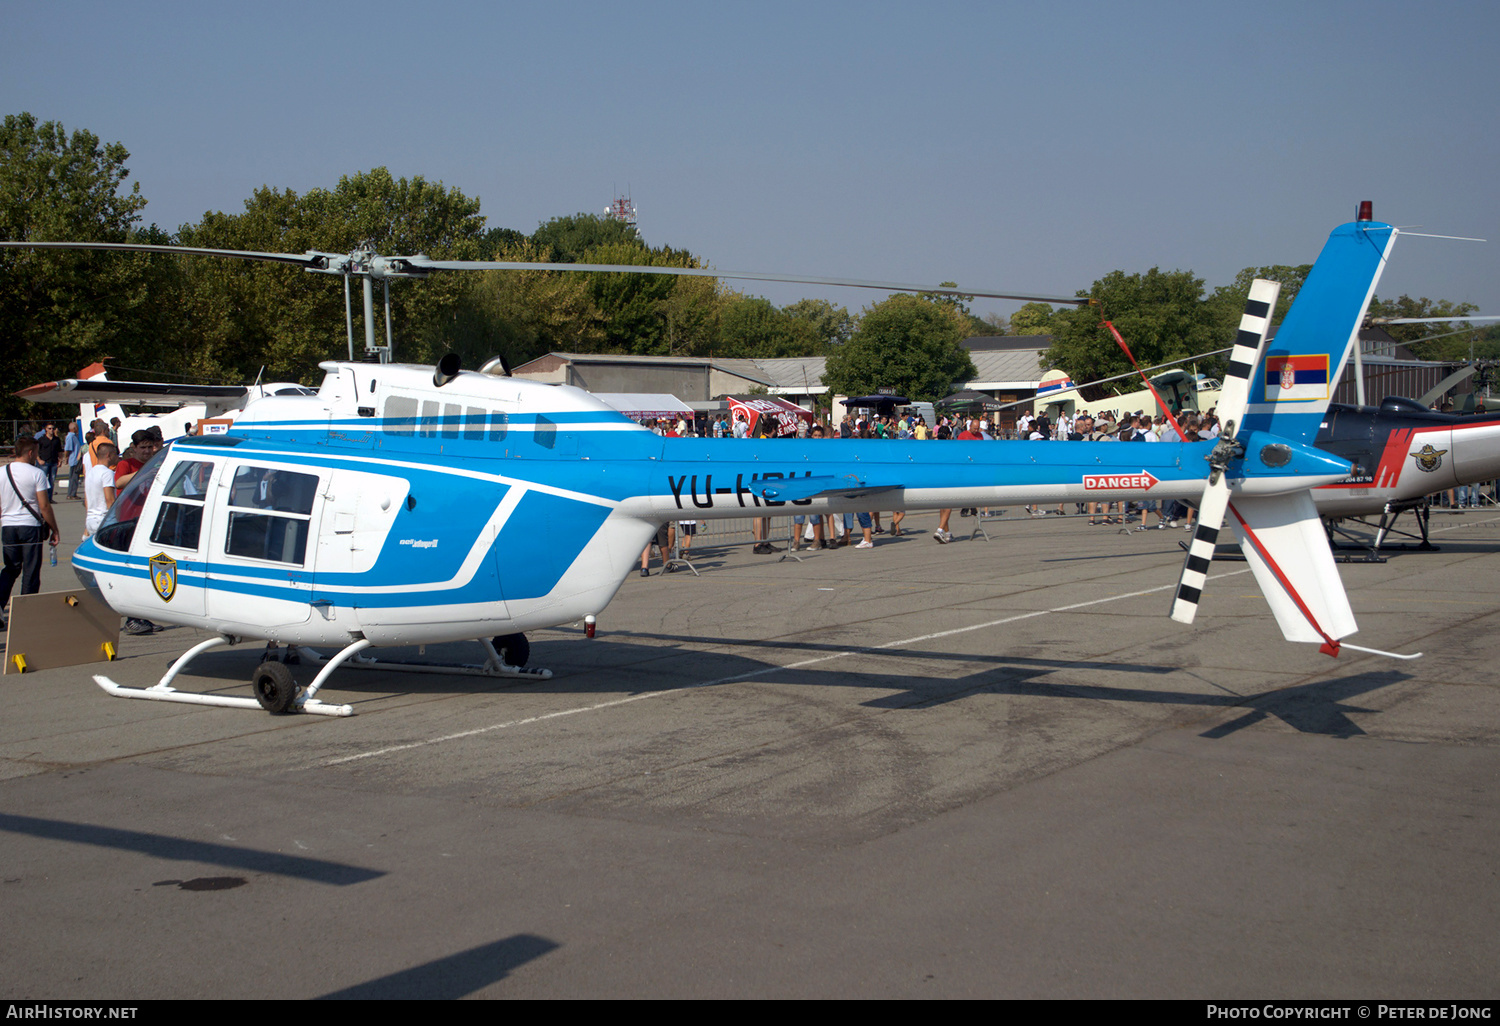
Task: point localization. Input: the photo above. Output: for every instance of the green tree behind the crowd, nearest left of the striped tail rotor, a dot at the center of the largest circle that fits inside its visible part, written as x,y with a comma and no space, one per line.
1160,314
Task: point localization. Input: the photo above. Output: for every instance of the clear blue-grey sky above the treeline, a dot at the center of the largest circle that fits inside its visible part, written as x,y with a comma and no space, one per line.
1010,146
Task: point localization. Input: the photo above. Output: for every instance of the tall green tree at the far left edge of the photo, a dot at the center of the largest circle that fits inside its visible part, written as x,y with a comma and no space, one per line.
59,310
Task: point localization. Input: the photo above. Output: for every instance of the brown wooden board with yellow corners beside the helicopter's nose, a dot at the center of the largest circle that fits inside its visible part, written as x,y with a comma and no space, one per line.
61,629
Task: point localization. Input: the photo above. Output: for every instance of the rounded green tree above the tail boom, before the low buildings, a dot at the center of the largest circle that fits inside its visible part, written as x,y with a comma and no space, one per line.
910,344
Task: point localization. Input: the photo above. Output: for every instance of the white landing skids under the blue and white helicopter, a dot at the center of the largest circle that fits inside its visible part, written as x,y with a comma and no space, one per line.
275,691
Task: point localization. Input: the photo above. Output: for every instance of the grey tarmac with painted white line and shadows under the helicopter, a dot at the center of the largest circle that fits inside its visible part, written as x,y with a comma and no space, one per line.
988,769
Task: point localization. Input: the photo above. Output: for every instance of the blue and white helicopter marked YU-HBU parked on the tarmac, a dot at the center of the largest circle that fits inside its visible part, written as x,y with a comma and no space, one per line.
409,505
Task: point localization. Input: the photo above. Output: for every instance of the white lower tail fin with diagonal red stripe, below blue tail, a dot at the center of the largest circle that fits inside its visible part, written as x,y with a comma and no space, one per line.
1283,541
